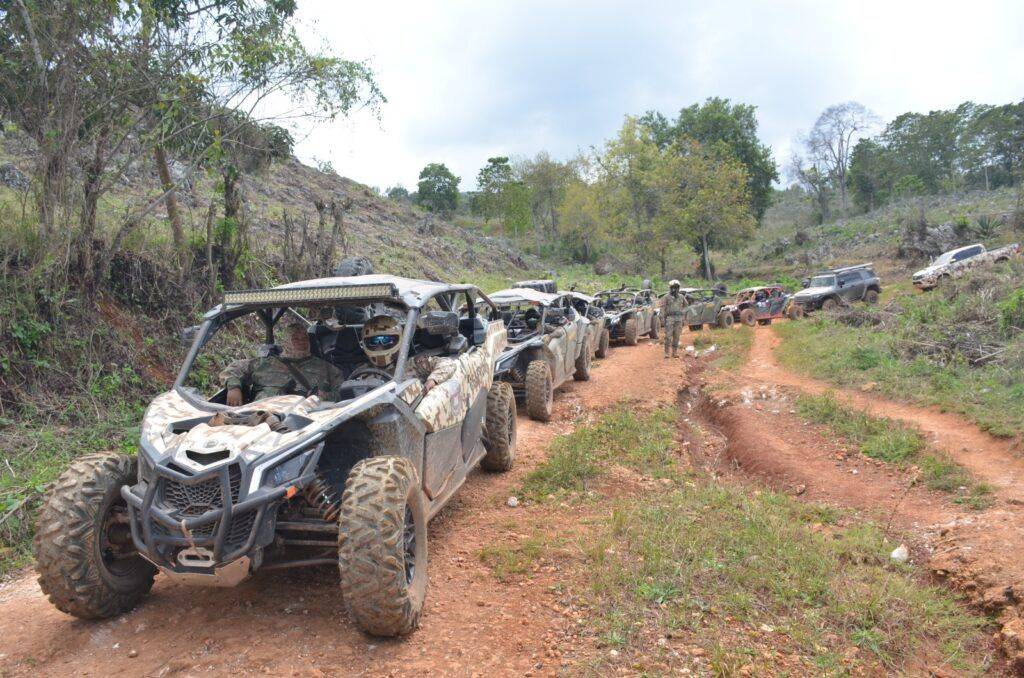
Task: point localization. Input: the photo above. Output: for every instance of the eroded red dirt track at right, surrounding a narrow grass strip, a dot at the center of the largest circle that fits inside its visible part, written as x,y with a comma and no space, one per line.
977,553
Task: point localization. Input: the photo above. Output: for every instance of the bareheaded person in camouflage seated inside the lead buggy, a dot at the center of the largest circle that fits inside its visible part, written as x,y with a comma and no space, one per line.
294,372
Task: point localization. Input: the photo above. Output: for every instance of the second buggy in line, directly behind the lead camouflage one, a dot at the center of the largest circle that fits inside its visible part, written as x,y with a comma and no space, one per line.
548,344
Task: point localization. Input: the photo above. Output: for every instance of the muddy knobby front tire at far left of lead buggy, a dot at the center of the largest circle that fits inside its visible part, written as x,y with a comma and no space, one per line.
83,541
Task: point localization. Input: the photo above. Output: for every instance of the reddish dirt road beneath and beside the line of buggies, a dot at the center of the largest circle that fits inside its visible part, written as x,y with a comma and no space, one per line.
295,624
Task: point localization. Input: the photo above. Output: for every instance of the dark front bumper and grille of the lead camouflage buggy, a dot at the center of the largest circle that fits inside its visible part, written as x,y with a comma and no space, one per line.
175,516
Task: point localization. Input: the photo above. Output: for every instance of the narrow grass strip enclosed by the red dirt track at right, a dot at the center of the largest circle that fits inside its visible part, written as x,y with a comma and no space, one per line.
895,443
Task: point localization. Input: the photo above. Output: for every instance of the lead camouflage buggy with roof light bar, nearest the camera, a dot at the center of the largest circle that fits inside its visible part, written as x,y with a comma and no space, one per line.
218,493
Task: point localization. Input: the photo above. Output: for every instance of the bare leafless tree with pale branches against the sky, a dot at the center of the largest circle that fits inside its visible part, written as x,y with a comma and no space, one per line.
831,142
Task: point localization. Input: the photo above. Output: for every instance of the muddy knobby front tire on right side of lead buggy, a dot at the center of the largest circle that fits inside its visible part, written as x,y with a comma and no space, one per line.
382,546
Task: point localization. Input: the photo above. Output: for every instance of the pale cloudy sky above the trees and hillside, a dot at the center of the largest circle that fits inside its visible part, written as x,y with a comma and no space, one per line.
470,80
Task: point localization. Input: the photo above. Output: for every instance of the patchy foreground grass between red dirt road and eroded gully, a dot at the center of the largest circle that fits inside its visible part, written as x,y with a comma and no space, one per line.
758,582
